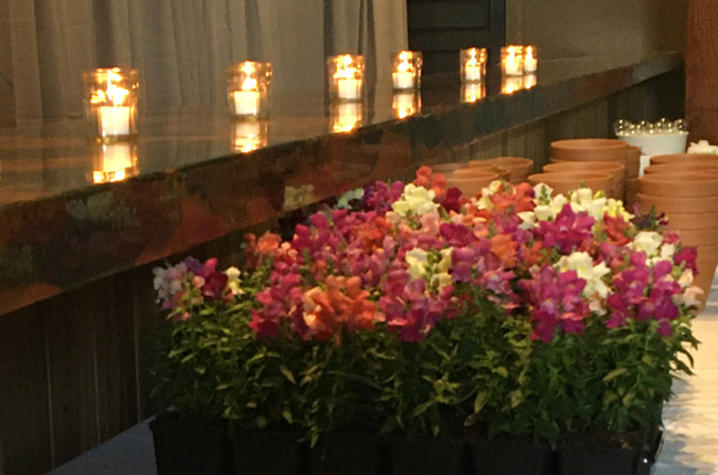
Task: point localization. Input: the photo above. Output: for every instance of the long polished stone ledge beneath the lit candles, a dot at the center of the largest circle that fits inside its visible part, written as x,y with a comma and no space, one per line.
58,232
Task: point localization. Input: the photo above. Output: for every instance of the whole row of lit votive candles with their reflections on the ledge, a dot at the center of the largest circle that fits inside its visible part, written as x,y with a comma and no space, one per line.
111,105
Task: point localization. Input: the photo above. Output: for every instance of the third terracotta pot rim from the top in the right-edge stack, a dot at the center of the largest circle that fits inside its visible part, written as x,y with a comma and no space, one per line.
679,185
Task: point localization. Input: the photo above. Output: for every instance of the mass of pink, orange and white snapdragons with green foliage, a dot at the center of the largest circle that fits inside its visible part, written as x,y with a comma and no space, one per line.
414,309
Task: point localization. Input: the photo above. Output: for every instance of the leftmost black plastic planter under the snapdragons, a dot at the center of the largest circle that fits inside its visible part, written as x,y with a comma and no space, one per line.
188,445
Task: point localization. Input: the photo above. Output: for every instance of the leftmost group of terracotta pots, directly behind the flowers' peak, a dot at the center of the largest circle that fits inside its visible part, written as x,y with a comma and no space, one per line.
471,177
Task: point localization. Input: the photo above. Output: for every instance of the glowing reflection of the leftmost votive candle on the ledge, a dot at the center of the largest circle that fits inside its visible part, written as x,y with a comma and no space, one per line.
112,162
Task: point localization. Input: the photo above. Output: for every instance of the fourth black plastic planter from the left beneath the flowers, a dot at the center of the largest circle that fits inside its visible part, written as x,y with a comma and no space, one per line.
426,456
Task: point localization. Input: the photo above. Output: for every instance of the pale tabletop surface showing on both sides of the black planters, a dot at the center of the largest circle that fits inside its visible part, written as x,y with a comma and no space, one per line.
691,422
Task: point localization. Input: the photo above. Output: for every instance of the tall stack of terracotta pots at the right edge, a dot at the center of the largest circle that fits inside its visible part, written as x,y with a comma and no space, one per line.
685,188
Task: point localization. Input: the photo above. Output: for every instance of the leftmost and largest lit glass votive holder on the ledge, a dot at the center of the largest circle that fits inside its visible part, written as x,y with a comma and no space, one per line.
111,96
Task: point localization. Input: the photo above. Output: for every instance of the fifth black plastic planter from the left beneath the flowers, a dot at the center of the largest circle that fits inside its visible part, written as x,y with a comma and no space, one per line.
515,456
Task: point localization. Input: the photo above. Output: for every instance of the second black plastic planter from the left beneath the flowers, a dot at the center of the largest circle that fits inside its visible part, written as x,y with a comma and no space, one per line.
267,452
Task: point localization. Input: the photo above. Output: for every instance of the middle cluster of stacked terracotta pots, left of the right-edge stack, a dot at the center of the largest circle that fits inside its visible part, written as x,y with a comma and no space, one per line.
600,164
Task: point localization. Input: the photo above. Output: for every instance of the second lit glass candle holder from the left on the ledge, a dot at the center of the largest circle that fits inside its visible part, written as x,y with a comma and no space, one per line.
248,89
